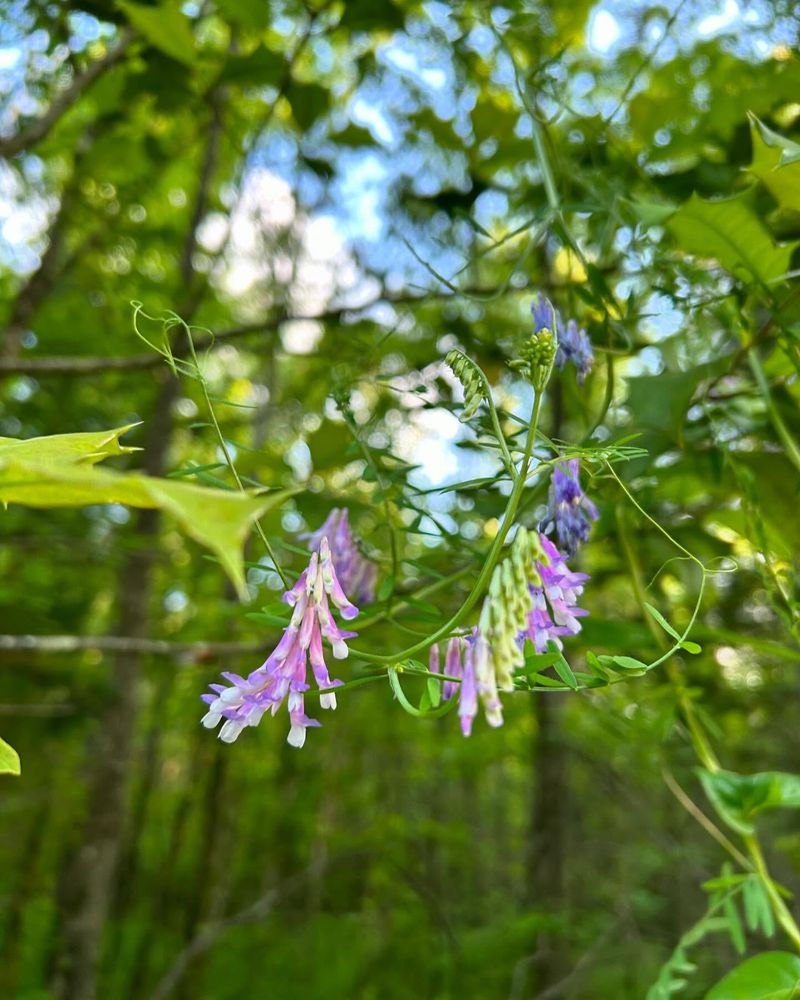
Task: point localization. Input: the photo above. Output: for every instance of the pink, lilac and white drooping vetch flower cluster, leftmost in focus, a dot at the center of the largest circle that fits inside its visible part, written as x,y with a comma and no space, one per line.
283,675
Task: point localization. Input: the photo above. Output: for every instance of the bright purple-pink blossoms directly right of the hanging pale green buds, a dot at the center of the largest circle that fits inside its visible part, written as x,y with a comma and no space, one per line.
555,610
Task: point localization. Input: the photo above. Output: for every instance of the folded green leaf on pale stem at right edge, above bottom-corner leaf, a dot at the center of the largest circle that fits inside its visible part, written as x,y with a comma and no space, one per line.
739,798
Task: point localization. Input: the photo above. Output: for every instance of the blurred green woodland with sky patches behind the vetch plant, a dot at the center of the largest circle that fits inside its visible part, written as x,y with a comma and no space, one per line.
335,195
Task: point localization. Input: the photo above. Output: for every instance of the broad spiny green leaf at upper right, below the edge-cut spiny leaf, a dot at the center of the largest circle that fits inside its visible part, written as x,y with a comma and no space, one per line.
730,231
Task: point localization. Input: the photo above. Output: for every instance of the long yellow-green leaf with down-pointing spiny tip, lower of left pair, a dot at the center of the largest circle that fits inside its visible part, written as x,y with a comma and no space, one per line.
218,519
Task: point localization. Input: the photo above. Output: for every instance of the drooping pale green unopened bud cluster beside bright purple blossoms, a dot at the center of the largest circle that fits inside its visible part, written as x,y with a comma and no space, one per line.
506,607
